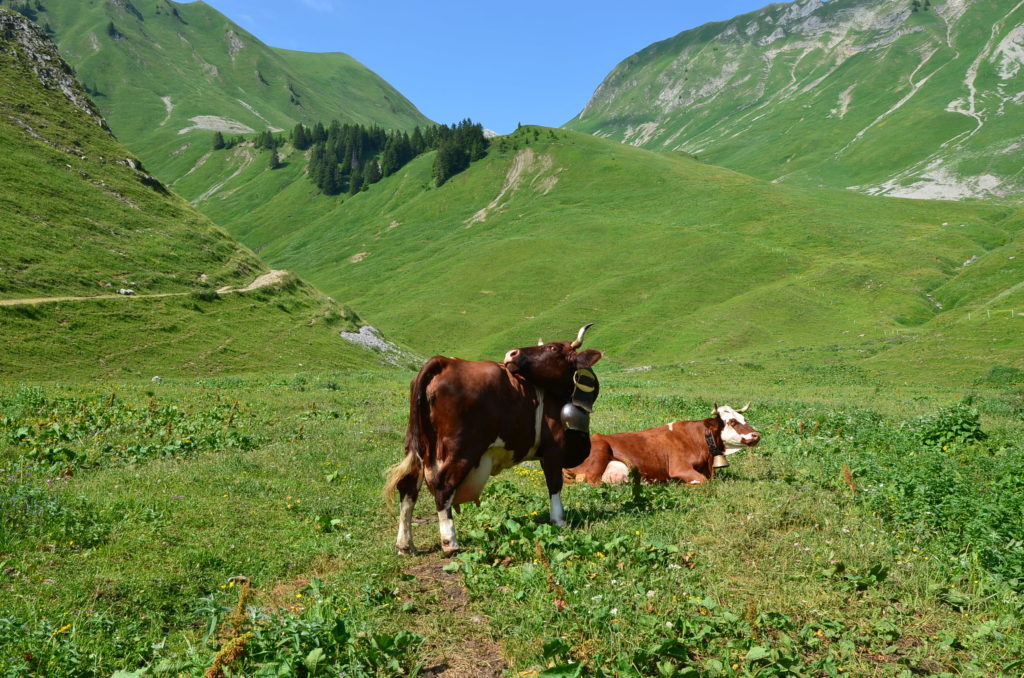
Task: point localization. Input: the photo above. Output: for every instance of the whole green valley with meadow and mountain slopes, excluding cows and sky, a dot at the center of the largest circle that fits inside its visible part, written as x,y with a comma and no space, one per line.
191,475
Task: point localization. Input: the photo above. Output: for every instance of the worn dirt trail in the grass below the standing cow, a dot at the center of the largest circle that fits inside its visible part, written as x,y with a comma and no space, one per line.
458,645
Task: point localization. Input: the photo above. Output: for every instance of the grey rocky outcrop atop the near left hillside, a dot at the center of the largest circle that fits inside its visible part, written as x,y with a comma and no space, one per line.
32,50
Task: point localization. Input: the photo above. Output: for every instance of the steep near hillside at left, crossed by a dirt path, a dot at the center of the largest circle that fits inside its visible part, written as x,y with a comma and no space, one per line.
79,218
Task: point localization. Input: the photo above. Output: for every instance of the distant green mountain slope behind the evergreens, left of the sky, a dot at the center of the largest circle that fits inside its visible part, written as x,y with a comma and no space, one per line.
166,75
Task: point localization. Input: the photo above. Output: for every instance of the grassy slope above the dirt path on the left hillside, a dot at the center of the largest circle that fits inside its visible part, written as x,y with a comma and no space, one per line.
81,218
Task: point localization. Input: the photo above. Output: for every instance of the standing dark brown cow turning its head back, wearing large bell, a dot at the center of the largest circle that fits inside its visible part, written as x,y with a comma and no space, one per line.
470,420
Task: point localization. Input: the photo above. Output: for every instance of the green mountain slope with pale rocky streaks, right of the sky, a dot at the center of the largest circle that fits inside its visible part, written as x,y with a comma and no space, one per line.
868,95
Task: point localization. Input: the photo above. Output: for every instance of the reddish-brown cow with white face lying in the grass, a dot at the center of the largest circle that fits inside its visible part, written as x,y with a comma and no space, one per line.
681,452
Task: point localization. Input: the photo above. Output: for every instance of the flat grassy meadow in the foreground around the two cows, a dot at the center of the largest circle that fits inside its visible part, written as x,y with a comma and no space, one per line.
876,531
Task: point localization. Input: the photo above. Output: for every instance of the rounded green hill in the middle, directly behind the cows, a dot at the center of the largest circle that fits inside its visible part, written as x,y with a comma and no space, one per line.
675,261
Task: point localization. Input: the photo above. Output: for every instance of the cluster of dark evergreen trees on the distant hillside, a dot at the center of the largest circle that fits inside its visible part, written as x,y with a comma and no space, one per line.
349,158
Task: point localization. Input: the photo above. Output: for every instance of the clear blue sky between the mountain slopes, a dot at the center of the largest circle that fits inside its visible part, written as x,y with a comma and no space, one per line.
500,64
